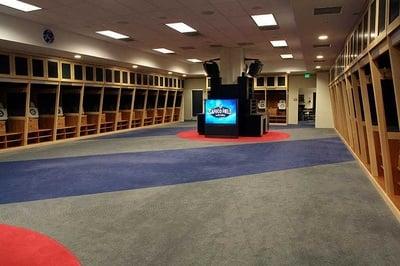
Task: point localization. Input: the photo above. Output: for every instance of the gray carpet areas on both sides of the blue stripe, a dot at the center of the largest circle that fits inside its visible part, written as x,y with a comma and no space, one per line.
321,215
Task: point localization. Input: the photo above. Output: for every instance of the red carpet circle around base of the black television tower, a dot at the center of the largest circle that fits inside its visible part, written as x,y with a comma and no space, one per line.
270,136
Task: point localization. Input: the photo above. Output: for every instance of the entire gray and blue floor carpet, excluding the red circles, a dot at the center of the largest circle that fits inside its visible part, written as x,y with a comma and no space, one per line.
225,204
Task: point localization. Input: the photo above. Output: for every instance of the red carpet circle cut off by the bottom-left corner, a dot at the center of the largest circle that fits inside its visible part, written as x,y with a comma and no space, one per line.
23,247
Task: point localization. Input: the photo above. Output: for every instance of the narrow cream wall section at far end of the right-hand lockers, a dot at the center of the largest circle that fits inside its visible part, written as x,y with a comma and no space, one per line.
324,119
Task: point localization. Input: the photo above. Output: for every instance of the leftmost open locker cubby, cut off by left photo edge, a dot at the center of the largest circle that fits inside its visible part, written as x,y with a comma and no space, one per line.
12,118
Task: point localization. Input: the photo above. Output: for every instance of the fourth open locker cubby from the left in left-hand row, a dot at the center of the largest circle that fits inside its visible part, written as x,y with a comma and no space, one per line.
90,120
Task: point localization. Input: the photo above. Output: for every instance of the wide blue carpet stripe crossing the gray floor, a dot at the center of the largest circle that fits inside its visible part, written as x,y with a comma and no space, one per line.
52,178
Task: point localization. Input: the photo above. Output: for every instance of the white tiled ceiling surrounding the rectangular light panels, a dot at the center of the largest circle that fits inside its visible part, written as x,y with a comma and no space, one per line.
229,25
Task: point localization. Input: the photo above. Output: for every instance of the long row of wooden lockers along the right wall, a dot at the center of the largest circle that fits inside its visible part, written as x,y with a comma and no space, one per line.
365,95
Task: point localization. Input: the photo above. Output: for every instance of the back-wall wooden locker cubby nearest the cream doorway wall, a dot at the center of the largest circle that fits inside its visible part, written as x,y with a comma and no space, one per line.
276,115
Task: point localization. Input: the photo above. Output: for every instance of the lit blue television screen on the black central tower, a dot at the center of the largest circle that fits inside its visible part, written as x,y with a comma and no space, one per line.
221,112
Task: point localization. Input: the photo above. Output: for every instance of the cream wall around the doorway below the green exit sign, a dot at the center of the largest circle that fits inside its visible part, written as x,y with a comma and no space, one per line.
296,84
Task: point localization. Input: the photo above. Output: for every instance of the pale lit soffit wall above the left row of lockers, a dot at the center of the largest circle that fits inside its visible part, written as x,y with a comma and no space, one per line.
20,31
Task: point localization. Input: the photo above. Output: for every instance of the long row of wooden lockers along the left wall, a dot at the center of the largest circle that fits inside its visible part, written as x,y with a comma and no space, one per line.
44,99
